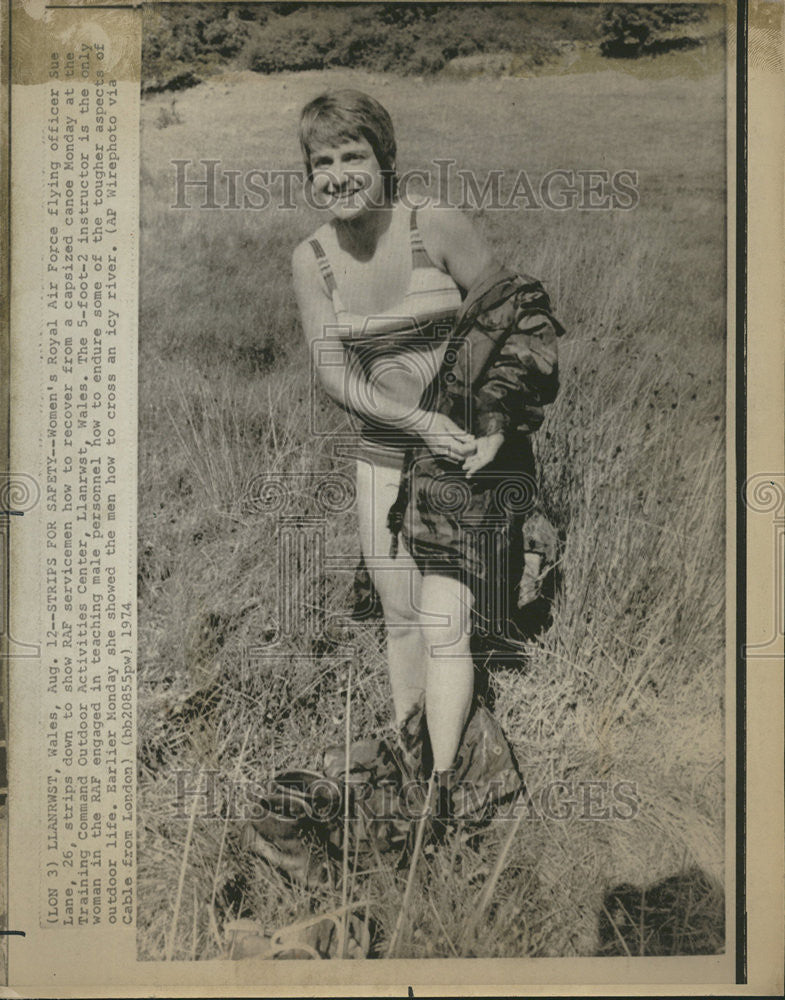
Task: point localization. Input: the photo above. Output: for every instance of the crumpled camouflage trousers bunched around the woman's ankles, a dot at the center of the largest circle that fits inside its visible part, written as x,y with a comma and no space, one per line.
302,832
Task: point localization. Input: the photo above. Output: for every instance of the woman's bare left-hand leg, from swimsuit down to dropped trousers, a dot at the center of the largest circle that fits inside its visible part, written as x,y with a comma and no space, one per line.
398,582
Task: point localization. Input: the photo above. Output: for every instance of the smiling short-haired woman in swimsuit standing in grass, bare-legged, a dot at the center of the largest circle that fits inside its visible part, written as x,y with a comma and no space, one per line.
389,281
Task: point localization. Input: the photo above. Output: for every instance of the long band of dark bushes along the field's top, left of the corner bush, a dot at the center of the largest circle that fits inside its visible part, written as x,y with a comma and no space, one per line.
184,43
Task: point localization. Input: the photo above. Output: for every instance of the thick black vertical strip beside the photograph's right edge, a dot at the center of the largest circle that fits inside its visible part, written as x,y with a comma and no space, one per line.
741,475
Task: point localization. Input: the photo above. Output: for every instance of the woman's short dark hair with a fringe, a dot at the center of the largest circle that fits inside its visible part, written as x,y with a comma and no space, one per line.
342,115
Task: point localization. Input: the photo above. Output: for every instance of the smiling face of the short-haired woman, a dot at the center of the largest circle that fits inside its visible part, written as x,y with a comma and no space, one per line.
347,178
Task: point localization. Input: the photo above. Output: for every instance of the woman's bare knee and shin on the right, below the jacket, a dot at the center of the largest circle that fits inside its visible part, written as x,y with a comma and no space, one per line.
445,606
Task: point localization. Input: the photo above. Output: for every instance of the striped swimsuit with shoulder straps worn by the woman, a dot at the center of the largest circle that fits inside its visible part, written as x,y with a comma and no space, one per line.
423,320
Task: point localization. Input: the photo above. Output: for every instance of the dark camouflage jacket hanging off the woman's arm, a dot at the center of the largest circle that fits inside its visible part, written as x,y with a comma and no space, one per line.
499,370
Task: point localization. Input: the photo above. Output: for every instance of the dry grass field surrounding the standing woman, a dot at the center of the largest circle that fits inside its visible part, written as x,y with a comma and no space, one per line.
625,684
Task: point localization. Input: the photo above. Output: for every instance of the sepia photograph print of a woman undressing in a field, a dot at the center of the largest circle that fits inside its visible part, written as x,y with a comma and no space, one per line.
432,475
